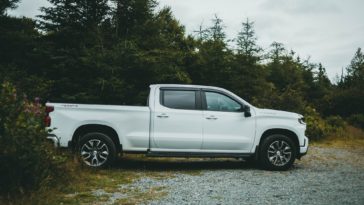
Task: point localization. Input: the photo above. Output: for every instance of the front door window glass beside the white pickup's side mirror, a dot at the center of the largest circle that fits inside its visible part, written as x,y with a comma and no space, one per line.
219,102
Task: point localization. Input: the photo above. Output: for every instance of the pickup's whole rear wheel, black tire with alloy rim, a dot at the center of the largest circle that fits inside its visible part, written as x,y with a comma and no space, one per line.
96,150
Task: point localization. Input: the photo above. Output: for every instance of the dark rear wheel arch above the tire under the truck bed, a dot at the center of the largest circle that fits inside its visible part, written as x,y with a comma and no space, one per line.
88,128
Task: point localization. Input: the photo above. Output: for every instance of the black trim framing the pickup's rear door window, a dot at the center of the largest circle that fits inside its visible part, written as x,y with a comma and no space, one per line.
198,97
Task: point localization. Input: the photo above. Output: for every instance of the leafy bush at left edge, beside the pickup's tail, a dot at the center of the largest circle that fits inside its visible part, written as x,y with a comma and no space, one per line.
27,159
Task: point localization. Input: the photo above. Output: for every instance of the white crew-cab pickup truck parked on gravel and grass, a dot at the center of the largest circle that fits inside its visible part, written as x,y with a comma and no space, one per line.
180,121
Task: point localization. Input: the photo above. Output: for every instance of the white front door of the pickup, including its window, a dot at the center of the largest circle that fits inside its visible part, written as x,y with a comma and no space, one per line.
225,128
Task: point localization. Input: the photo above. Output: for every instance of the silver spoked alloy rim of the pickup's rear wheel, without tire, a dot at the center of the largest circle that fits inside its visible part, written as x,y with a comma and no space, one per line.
94,152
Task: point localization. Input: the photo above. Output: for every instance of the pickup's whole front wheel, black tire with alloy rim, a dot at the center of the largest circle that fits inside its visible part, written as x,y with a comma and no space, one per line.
277,152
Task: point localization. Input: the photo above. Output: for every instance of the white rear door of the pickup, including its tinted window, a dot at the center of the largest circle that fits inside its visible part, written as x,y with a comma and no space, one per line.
177,120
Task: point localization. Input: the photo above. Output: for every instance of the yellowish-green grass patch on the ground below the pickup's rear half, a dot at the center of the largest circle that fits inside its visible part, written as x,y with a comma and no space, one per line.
86,182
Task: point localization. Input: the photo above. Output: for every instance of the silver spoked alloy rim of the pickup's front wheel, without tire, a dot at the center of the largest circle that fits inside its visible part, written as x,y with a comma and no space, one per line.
279,153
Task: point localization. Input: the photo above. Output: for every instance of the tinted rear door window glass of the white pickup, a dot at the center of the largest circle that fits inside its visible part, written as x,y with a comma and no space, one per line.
179,99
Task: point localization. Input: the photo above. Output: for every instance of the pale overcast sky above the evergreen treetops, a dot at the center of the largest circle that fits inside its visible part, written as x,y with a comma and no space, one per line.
327,31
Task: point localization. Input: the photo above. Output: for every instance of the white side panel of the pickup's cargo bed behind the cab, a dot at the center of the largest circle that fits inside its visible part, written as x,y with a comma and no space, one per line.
131,122
